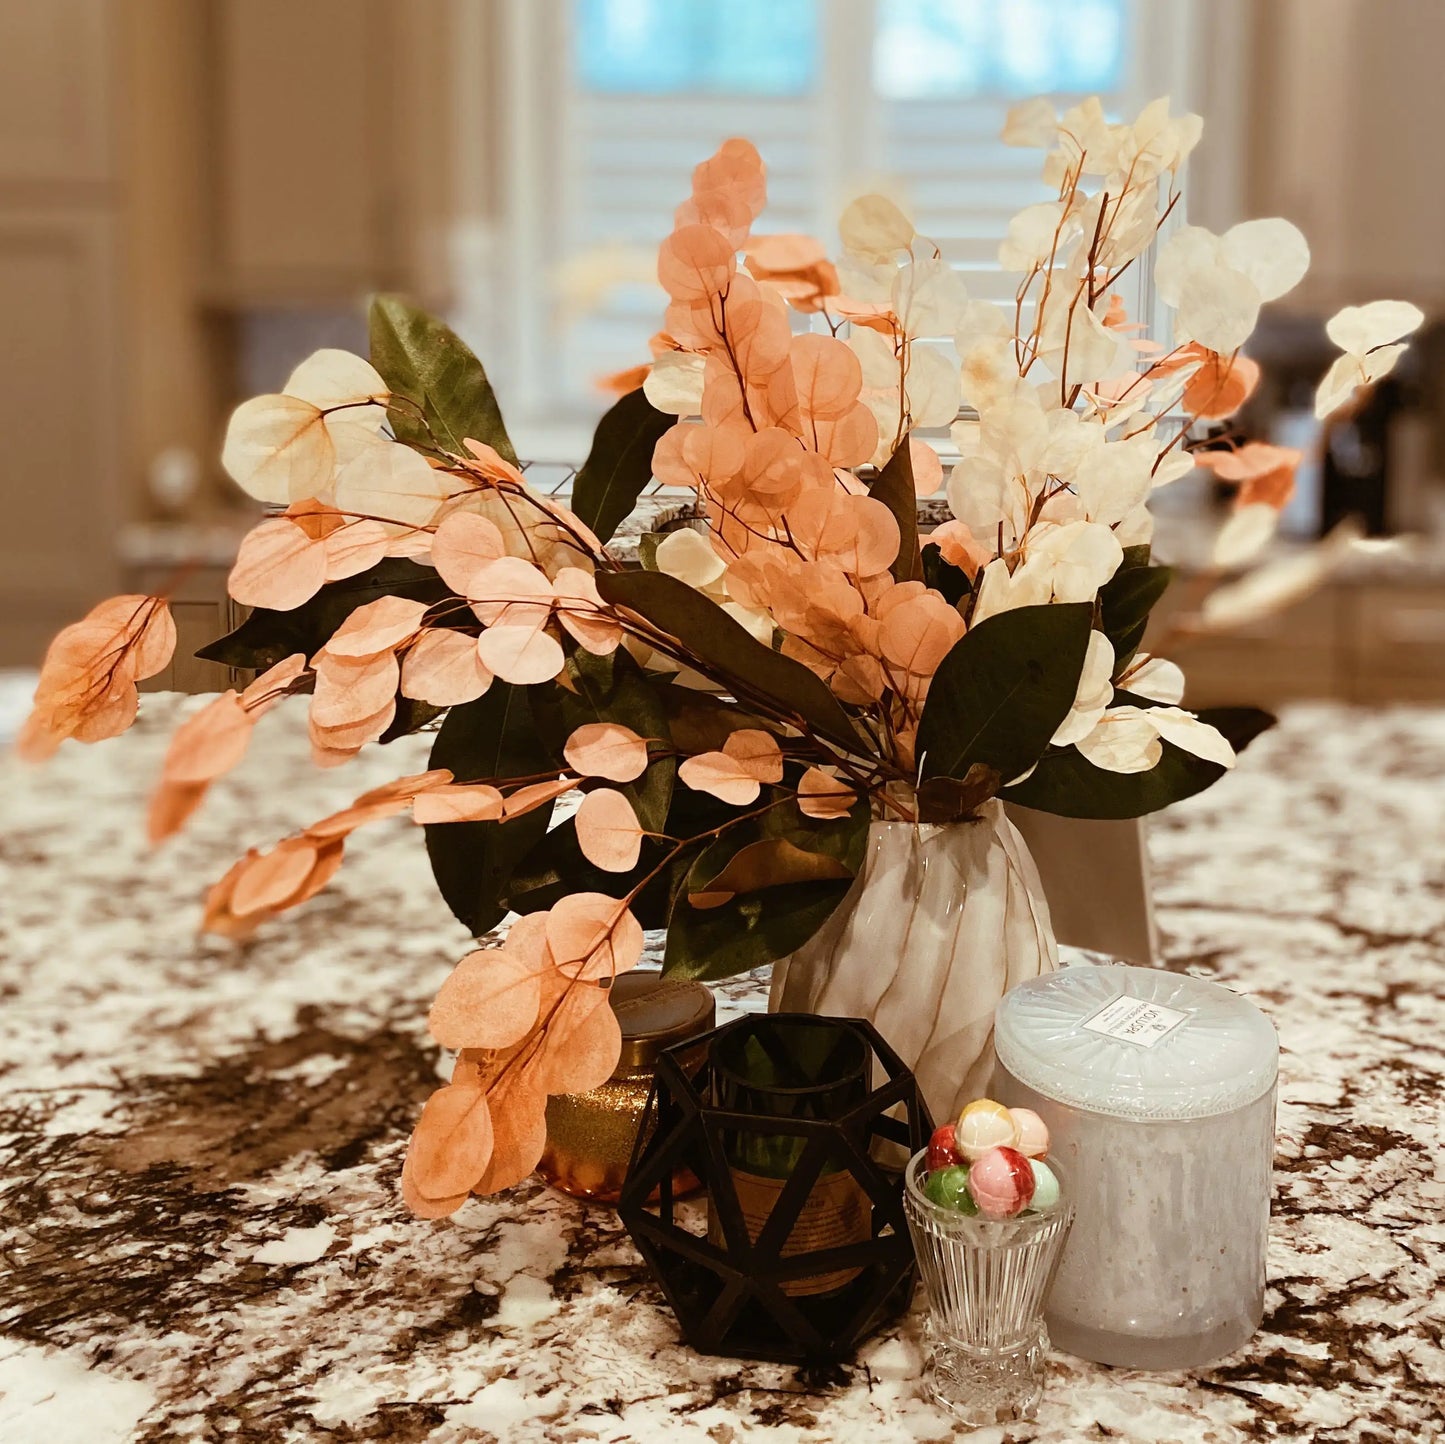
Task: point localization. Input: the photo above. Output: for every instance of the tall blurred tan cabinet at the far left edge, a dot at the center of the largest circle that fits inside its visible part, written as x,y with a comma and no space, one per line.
60,476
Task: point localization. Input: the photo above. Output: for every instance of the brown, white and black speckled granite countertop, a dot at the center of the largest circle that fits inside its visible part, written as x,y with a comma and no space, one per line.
202,1238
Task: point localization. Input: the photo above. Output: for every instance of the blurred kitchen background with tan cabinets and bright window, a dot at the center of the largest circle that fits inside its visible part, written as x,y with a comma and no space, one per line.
196,194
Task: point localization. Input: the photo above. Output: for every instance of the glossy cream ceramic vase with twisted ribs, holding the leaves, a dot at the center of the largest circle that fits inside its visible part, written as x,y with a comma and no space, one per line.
940,924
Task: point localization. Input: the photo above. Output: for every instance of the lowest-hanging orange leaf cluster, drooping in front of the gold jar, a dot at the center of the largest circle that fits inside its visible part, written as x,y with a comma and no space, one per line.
530,1018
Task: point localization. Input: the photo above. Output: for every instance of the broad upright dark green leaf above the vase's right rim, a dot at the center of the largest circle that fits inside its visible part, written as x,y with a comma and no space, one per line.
1004,690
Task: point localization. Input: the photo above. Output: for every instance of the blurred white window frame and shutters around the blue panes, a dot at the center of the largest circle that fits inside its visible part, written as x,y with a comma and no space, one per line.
598,176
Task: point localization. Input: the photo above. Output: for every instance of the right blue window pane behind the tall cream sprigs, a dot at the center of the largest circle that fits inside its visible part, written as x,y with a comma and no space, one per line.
941,48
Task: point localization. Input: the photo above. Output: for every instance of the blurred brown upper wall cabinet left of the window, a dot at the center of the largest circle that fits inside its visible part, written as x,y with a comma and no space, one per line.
332,150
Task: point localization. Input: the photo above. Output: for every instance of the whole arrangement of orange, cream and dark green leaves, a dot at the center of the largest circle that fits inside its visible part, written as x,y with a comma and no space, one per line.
732,713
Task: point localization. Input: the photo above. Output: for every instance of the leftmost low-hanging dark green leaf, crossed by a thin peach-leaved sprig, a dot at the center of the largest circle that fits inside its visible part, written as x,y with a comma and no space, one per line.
473,862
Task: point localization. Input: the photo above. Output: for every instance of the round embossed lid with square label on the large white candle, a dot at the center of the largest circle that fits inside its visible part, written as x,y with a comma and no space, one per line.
1136,1043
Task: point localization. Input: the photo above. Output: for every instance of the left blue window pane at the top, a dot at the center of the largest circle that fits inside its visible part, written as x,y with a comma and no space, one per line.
664,47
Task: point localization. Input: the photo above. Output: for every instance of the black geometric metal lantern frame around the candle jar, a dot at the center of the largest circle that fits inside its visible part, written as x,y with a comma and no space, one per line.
729,1299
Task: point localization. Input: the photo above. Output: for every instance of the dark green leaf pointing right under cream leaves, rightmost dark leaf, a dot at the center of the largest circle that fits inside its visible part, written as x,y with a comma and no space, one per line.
1069,786
